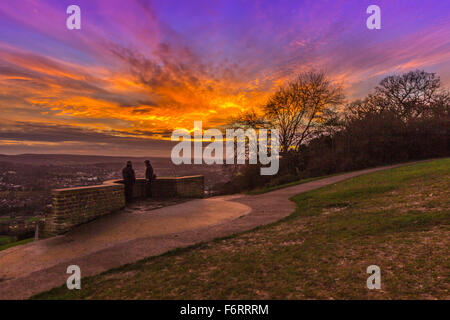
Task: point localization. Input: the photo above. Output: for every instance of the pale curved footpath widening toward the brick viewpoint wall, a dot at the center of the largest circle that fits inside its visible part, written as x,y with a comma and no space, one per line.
134,234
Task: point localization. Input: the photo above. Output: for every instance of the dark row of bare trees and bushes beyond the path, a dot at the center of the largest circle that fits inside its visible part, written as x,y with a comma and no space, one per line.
405,118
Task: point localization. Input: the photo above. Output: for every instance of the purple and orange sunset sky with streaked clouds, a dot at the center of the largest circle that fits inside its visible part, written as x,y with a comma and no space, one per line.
139,69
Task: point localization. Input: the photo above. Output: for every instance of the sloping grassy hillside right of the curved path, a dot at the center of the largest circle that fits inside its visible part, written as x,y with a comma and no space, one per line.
397,219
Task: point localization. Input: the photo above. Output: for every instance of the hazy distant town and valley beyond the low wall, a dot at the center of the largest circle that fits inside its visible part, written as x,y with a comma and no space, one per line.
26,182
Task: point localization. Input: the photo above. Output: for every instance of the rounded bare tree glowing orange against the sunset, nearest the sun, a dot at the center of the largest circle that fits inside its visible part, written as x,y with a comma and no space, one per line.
298,108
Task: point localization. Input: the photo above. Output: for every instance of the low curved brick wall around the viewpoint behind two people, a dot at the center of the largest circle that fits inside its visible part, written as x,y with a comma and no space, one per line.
75,206
